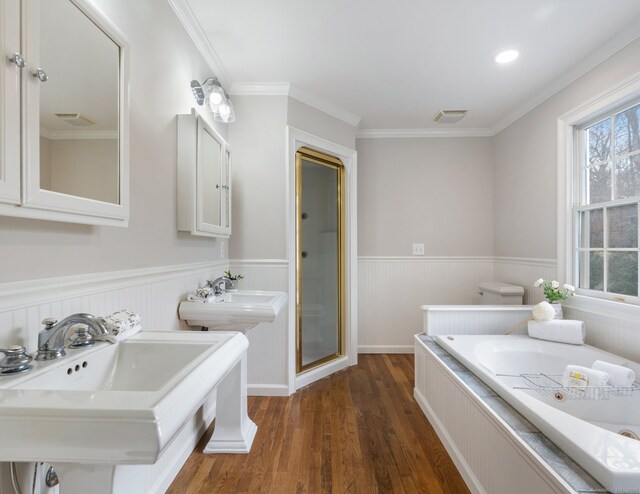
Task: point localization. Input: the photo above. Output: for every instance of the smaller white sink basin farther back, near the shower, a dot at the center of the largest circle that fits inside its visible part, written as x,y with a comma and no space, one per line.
234,311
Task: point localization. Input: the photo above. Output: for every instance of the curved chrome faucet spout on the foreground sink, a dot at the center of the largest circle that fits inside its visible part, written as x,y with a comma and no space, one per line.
51,338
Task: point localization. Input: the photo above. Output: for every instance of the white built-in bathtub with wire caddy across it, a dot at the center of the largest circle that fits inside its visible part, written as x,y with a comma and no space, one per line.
588,429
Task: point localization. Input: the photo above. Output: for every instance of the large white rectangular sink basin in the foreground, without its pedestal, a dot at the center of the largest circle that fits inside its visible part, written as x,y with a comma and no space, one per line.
113,403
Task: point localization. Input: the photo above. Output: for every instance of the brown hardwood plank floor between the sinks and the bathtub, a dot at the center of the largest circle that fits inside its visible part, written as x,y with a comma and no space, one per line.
359,430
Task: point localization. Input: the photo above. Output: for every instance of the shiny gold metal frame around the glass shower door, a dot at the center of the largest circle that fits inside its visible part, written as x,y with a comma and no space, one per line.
326,160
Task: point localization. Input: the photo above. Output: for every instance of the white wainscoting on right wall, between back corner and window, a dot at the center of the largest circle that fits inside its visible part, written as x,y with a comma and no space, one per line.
524,272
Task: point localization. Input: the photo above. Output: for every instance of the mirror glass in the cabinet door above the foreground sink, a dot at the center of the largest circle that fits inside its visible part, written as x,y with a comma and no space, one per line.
79,125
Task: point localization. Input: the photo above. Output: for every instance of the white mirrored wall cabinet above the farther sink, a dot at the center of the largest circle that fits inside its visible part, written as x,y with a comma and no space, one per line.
204,179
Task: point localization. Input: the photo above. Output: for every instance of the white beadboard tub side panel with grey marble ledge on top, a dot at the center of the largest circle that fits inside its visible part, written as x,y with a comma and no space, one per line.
496,449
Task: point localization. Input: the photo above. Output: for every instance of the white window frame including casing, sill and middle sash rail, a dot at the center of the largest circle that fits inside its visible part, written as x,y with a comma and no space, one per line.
570,153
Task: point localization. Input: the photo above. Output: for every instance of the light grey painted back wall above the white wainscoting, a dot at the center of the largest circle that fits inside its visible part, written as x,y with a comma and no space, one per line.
436,191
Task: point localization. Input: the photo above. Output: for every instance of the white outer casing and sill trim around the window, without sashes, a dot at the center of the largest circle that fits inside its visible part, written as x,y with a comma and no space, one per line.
621,94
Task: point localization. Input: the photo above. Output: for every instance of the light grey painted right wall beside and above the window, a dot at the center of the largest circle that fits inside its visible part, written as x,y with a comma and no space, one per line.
526,162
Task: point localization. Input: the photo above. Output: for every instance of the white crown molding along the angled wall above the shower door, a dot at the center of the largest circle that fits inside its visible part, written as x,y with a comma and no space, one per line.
288,89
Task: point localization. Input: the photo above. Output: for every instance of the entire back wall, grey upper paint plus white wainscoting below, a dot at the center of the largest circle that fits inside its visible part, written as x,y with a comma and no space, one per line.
436,191
